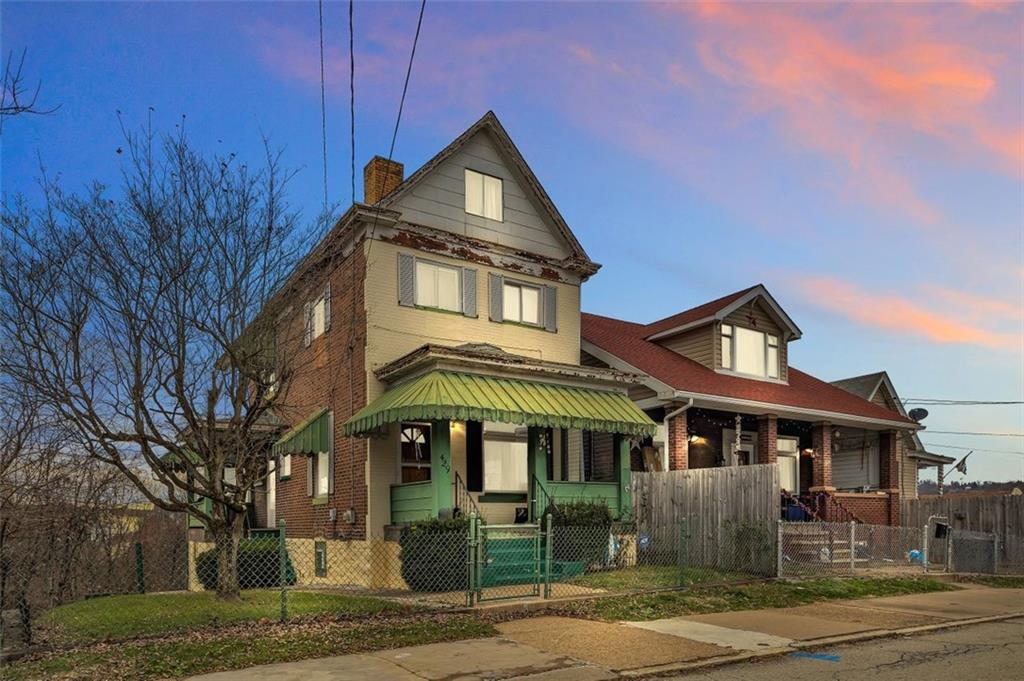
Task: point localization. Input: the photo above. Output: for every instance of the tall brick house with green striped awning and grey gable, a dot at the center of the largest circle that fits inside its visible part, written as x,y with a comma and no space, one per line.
435,335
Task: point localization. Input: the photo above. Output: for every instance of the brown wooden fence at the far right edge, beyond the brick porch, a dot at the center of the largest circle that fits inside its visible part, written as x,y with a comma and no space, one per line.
1003,516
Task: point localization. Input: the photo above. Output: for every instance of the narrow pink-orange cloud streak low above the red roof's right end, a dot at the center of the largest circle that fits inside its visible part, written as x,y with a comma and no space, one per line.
946,319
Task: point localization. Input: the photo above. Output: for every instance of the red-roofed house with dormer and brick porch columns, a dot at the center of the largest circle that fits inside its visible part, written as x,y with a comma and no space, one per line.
719,380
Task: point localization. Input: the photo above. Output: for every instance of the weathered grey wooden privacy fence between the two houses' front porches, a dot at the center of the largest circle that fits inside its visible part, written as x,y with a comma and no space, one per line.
728,517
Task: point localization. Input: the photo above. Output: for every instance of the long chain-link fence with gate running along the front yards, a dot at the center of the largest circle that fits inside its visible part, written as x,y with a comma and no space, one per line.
149,580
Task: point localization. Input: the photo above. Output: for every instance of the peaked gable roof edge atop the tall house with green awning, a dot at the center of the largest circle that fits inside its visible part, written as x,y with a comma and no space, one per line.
490,123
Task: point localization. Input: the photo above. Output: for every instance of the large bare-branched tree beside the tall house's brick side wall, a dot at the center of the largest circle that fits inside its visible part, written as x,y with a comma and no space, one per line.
136,317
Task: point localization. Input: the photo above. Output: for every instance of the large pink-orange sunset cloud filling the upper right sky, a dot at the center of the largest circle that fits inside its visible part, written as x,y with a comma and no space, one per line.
860,84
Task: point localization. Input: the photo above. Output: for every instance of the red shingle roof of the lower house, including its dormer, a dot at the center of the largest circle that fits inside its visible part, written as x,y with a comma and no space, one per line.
626,342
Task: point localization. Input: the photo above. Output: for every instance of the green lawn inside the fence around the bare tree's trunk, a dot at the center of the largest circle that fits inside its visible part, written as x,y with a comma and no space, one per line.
148,615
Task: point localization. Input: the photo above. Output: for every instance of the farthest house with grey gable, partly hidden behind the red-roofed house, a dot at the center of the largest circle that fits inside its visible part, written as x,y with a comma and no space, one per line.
878,389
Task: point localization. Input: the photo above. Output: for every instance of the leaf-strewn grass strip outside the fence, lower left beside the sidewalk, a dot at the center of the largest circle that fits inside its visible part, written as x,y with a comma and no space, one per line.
234,649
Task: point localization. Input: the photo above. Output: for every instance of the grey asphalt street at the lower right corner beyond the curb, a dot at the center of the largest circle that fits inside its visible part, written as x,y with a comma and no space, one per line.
994,652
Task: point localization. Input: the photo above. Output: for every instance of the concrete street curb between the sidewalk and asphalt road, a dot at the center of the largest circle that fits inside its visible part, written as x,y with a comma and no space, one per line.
808,646
